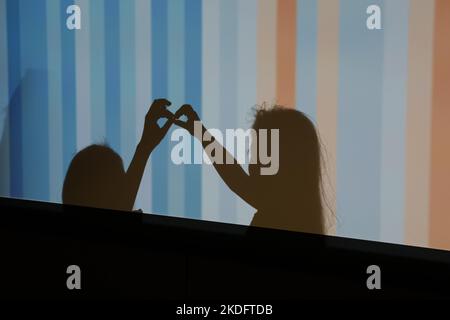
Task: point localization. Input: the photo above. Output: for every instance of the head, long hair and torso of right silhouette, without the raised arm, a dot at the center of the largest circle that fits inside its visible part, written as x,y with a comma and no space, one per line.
293,198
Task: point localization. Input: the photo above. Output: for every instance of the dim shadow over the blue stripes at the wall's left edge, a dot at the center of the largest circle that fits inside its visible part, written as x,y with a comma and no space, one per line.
23,153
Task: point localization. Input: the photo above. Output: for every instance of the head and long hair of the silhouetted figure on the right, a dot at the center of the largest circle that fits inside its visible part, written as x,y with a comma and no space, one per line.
297,184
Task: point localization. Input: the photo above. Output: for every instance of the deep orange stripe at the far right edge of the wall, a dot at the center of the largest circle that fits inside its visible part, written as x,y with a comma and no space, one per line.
440,132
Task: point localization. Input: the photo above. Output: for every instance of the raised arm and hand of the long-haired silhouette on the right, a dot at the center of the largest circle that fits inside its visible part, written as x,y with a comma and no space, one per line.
232,174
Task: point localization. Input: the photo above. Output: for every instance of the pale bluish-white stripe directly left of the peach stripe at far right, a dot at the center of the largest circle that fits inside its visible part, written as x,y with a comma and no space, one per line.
392,184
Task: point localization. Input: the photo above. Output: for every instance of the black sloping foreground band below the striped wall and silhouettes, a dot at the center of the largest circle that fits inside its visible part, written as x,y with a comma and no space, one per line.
130,255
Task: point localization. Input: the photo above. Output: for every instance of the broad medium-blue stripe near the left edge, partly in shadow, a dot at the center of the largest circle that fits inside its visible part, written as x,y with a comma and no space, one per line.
34,99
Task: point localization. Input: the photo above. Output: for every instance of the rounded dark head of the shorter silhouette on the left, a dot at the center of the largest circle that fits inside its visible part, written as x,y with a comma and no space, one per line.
96,178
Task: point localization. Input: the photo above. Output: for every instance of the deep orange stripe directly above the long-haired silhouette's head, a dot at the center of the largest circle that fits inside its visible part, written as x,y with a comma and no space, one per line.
286,45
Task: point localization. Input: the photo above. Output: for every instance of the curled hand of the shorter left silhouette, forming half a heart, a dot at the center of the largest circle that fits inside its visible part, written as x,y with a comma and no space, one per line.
152,133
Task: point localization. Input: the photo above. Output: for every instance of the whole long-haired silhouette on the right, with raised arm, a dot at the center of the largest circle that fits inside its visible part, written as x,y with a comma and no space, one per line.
291,198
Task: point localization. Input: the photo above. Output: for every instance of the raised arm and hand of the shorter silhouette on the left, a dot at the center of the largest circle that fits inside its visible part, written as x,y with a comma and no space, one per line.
151,137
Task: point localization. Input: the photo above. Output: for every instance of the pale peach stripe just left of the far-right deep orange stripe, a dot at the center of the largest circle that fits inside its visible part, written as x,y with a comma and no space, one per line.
418,120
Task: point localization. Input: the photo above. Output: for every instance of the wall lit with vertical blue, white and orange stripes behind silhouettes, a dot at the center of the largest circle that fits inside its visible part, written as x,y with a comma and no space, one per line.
379,99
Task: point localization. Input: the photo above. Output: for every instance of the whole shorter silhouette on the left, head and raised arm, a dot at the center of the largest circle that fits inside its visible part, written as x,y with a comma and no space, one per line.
96,176
